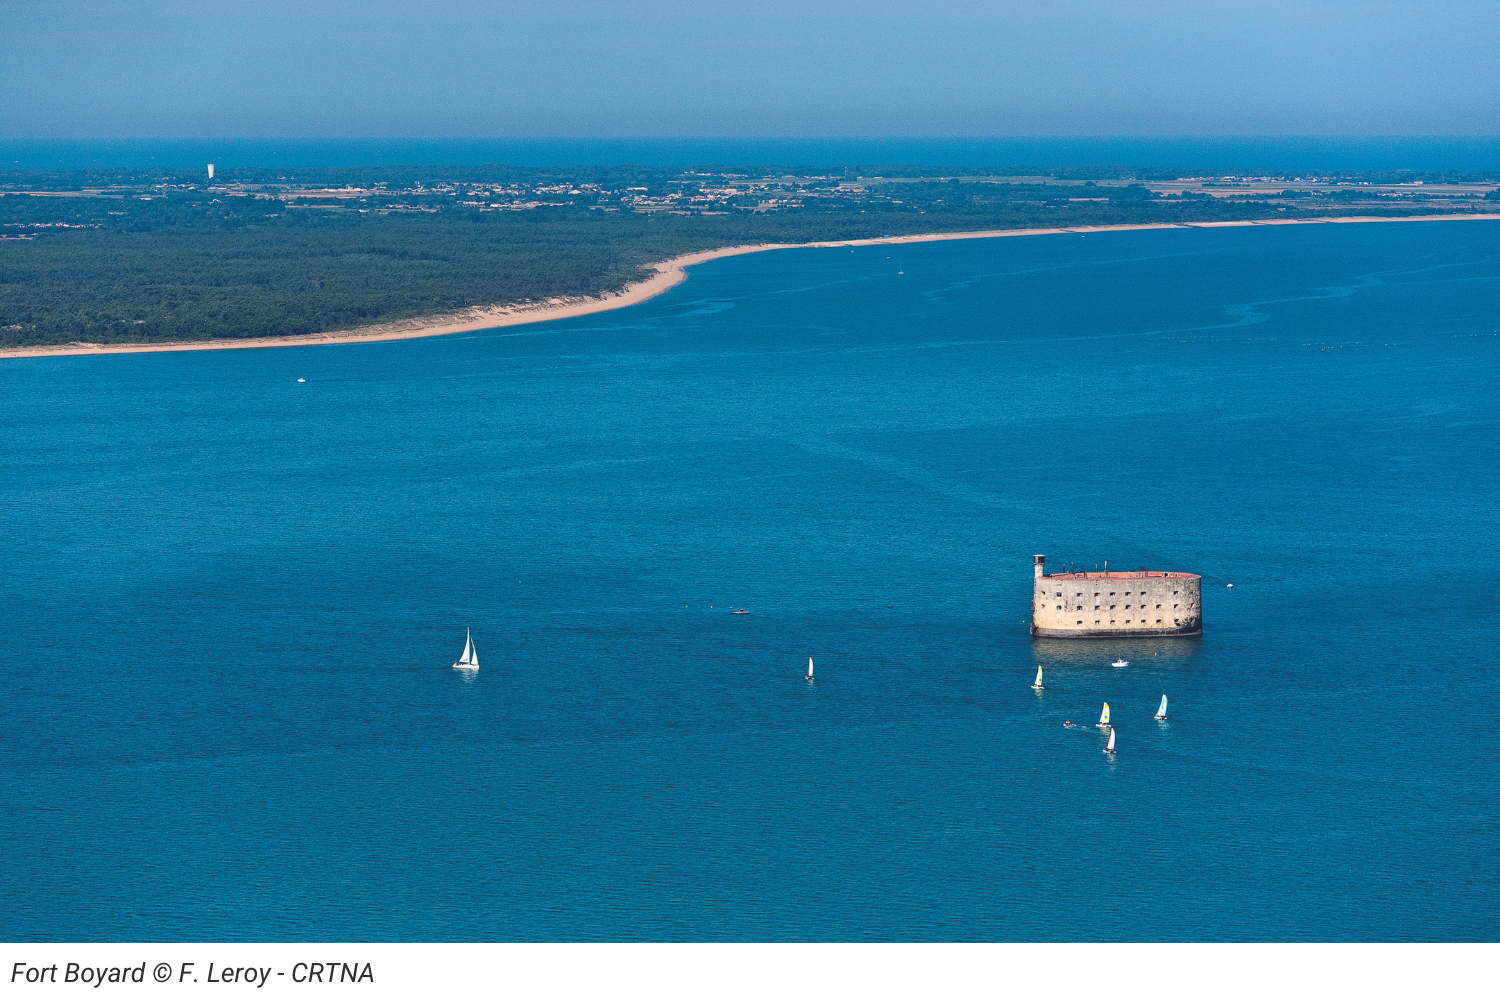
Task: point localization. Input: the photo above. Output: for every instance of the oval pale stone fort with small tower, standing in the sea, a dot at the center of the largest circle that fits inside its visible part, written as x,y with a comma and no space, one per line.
1115,605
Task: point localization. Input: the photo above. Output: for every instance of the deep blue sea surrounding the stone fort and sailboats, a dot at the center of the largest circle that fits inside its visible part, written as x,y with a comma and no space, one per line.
232,600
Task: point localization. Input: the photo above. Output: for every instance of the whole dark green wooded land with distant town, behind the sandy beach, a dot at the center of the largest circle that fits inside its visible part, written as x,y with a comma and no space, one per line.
110,257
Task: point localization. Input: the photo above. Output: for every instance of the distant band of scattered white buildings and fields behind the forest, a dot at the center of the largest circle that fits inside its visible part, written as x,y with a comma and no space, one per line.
703,193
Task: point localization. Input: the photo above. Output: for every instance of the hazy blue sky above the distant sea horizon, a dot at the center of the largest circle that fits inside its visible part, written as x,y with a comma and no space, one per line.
748,68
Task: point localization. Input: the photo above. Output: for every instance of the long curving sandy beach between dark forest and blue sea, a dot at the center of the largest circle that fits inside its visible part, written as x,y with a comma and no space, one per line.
670,275
